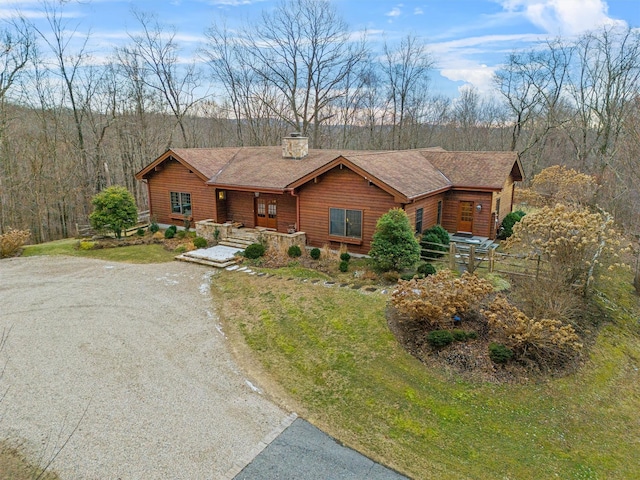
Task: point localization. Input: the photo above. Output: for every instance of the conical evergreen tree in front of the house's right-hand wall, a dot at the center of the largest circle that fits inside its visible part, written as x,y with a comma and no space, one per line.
394,245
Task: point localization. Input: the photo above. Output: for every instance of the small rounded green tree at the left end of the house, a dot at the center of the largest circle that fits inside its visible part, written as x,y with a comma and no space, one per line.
114,210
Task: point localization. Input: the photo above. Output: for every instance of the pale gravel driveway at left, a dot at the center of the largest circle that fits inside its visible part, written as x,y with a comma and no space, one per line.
134,357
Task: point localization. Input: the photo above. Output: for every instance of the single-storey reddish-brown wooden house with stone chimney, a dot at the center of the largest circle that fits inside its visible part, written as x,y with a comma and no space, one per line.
335,197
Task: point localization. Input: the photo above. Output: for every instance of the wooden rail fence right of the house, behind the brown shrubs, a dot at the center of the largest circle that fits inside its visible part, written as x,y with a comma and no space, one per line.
471,258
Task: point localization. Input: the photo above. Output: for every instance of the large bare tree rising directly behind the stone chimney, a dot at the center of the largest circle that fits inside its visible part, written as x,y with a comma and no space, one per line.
304,51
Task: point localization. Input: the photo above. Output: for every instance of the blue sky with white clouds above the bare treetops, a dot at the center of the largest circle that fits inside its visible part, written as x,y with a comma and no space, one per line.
468,39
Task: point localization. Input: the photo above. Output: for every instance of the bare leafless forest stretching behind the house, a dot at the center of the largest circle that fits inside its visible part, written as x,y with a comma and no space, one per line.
72,124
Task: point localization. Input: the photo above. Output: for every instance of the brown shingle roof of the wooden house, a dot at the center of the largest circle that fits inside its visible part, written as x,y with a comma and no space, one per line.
412,173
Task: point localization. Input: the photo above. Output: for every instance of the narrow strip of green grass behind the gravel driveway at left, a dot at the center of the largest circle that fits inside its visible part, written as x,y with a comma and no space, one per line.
155,253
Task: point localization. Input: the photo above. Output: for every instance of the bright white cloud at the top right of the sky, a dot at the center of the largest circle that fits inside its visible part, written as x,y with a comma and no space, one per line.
563,17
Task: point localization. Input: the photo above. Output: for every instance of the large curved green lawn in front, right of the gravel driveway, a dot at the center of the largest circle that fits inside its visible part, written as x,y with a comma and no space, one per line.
331,353
